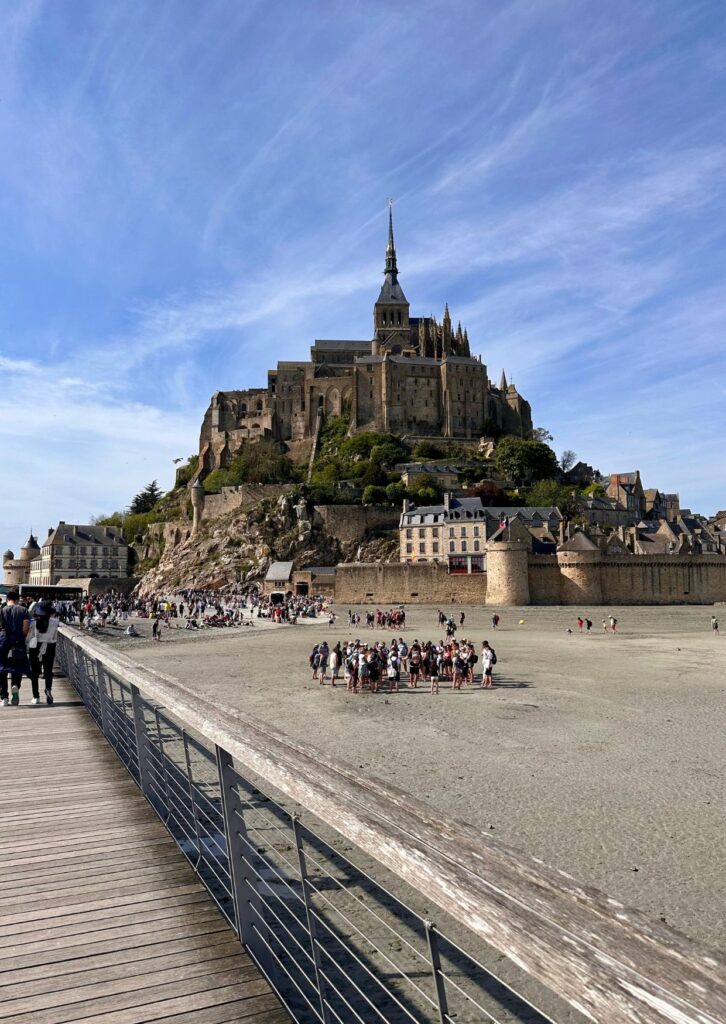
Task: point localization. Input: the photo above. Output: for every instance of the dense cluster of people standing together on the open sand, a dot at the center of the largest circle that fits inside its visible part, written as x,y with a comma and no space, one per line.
381,667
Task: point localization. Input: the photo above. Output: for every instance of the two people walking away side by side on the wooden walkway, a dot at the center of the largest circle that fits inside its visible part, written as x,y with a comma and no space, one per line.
28,639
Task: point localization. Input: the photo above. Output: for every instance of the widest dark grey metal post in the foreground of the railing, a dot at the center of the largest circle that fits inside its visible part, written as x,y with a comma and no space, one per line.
244,883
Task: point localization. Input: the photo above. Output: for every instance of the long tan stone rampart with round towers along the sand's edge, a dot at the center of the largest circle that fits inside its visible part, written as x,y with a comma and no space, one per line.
516,577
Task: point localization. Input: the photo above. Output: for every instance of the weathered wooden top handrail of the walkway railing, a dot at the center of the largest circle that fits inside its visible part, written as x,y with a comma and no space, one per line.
610,962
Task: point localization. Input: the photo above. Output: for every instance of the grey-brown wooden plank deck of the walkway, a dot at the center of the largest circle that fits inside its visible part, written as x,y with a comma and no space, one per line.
102,918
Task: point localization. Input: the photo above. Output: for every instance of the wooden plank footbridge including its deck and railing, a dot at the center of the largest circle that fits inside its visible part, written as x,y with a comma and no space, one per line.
169,861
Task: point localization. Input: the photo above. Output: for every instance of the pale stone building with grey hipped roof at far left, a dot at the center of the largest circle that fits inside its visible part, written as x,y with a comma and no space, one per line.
73,552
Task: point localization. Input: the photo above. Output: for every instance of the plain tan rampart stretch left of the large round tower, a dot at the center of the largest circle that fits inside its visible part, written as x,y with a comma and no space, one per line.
407,583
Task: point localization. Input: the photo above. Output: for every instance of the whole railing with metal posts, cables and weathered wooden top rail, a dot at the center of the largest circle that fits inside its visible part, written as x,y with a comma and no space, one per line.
324,913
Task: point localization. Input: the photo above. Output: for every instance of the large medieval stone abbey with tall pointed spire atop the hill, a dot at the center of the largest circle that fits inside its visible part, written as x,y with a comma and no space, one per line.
415,377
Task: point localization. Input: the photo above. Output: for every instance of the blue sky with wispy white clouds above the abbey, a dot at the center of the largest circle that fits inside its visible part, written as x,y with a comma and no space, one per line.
191,192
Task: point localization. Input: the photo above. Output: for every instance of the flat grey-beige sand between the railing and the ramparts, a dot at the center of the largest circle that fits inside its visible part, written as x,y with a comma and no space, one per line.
603,755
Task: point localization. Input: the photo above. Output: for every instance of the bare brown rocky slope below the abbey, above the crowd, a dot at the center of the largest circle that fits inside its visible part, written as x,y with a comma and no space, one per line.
242,544
